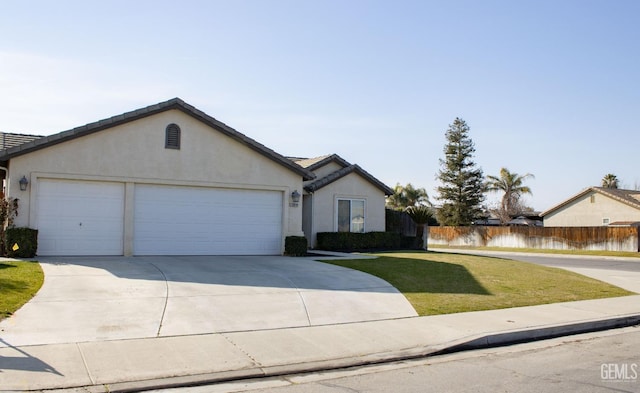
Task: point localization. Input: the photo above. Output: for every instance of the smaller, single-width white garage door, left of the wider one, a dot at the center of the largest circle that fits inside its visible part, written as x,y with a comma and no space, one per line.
80,218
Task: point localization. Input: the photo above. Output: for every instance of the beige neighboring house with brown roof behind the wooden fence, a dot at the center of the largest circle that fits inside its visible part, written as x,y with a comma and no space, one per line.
596,206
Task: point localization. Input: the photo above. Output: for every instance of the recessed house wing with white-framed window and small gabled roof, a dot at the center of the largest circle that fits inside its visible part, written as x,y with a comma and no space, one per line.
342,198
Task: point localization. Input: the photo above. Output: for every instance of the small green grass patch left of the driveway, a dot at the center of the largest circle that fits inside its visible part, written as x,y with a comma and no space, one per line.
19,282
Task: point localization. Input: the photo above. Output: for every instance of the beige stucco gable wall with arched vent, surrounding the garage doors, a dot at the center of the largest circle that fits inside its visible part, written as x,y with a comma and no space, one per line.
135,153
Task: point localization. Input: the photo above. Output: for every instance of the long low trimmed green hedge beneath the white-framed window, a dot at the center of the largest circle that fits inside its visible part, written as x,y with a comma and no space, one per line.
350,241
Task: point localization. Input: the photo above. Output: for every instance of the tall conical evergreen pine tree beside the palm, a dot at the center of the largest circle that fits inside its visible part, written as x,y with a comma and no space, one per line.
462,190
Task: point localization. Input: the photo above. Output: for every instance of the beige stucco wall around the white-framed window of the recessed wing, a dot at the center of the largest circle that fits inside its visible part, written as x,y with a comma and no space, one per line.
324,205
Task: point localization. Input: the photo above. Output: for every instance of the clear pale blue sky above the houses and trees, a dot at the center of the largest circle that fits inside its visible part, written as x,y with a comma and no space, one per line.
547,87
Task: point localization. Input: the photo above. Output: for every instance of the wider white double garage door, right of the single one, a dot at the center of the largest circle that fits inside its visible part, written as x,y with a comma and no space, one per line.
206,221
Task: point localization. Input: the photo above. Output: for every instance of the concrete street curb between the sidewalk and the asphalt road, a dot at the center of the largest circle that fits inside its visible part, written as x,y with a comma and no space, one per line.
481,341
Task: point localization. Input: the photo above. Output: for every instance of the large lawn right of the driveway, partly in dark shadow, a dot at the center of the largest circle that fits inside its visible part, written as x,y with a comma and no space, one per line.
441,283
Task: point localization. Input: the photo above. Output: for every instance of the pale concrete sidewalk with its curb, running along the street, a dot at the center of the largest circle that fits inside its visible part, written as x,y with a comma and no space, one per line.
139,364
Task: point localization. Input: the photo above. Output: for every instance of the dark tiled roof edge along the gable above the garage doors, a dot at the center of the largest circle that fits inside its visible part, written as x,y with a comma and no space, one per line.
175,103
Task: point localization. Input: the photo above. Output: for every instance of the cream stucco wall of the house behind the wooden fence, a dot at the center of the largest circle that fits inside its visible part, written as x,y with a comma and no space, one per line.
584,212
